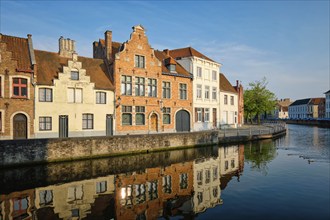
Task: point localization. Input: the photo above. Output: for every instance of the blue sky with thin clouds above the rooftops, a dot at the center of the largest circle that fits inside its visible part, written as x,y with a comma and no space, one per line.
285,41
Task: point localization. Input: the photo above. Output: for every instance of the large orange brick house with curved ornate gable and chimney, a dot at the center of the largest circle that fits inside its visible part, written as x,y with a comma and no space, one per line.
153,93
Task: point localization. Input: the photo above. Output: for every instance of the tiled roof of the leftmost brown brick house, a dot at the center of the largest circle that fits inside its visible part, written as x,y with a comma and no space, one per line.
20,51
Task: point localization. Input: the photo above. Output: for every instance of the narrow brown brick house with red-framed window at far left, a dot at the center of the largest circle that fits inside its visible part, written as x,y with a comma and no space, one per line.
17,77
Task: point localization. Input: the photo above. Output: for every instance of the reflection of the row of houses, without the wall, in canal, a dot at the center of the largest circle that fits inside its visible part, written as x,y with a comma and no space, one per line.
179,189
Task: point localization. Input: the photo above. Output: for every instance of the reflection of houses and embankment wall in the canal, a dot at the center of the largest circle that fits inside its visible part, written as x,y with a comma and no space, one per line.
176,183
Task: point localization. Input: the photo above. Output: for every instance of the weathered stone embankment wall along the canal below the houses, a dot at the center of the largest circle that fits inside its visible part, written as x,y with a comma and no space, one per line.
38,151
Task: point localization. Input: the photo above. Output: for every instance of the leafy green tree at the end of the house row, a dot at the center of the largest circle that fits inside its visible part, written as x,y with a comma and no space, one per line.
258,100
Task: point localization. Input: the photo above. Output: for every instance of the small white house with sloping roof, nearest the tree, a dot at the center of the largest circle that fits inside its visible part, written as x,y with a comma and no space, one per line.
228,103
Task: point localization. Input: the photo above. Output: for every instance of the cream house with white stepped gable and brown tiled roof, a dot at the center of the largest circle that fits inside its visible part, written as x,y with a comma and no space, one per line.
74,95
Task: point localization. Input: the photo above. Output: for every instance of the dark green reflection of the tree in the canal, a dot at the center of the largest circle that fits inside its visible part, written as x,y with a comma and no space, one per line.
259,154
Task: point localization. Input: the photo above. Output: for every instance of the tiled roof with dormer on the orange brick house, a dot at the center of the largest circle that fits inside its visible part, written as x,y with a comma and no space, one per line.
180,71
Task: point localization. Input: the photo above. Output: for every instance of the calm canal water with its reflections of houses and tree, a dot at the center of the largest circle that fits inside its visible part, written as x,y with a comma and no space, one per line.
286,178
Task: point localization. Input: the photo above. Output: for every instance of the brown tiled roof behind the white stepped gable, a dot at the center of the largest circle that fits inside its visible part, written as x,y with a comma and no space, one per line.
49,64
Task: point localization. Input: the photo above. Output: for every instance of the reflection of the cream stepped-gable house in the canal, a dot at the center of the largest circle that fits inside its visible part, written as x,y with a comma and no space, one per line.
73,200
